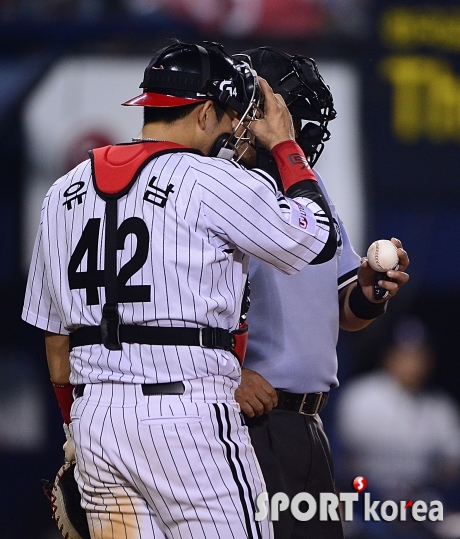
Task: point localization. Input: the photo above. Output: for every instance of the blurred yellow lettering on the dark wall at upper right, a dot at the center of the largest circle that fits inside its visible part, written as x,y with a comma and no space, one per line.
425,89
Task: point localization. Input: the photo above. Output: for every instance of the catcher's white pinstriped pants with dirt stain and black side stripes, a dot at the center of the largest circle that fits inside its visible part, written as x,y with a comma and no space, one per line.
171,466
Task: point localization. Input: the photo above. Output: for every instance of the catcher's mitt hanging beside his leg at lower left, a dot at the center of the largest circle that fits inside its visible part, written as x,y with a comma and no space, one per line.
64,497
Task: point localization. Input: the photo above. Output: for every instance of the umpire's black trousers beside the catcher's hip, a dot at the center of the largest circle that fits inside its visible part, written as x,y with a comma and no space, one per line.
295,456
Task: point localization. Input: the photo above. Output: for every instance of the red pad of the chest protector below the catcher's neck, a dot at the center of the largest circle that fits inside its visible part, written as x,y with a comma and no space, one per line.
115,168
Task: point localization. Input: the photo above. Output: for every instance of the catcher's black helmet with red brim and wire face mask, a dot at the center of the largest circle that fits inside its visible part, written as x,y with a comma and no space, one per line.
183,74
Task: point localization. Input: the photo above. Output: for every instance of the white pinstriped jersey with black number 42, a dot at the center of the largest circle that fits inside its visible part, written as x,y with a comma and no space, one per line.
185,230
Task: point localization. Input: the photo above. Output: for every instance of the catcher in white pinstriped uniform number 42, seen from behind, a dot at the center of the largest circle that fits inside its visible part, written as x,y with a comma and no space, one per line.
139,268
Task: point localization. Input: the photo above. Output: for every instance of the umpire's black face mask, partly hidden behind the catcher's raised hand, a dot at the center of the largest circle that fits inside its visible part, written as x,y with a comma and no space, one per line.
303,89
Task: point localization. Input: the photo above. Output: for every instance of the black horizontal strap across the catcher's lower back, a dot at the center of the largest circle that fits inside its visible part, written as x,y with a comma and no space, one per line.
205,337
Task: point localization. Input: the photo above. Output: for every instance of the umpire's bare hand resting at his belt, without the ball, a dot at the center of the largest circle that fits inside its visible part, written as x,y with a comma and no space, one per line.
255,395
